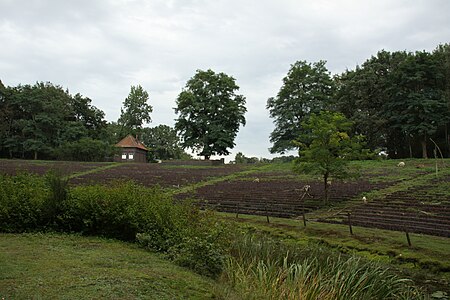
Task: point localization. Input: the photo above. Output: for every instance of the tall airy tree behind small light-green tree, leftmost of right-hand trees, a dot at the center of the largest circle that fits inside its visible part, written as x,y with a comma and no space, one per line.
307,89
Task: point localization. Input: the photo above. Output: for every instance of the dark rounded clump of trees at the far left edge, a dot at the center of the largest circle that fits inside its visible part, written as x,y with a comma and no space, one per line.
38,119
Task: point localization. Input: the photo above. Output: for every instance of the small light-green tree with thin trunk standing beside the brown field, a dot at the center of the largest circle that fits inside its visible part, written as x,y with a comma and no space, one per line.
326,147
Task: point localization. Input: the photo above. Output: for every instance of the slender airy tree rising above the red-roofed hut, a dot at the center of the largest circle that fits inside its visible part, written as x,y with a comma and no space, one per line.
135,111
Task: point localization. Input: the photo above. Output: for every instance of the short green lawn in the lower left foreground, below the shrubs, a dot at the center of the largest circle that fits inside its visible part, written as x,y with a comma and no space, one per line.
53,266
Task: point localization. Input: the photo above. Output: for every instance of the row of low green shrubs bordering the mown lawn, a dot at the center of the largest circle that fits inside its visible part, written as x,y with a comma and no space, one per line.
123,210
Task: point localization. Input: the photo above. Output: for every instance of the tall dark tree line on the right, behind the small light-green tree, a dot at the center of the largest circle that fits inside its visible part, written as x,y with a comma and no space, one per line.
399,101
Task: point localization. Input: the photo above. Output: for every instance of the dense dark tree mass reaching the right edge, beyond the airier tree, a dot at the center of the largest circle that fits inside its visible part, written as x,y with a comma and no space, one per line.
399,100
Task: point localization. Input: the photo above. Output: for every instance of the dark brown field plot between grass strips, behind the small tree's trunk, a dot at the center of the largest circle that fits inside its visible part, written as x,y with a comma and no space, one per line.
275,197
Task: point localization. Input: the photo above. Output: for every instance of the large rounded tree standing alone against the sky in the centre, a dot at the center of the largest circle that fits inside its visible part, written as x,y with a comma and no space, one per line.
210,113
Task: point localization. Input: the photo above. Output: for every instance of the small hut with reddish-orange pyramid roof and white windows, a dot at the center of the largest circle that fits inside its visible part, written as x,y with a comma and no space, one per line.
132,150
